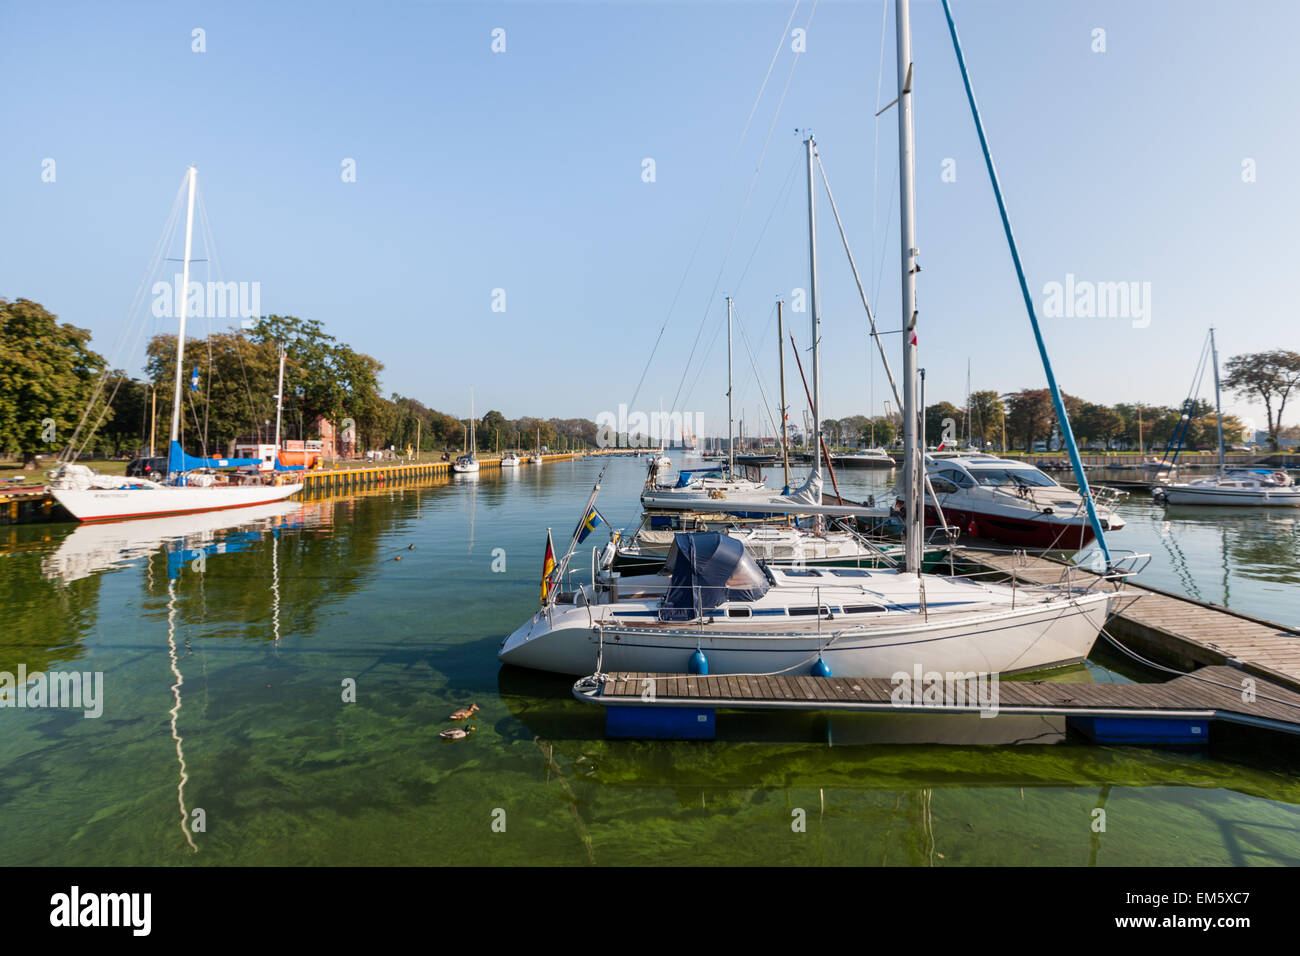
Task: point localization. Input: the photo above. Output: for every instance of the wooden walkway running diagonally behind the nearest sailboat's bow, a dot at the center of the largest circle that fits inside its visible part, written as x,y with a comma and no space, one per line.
1172,630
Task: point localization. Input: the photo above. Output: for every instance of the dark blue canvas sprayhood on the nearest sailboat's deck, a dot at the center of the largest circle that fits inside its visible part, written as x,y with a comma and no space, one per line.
709,569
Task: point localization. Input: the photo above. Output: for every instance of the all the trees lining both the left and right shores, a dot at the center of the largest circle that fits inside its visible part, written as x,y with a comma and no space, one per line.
57,393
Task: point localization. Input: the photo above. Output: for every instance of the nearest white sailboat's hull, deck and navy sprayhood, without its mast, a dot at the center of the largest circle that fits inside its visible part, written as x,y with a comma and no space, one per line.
746,620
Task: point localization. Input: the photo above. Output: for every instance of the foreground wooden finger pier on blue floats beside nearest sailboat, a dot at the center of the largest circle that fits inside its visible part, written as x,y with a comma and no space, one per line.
1177,712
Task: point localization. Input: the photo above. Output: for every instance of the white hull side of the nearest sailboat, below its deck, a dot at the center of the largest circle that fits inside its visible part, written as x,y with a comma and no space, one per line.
1006,642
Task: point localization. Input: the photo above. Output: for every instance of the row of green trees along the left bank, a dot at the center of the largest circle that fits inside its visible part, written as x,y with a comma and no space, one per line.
58,393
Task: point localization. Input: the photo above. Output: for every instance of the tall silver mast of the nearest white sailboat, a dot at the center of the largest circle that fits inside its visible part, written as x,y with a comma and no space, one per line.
913,462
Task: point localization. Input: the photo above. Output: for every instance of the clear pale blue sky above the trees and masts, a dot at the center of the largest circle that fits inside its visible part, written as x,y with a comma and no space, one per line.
523,171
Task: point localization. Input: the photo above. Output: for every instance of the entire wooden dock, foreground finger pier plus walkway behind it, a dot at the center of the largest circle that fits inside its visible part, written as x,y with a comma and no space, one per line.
1243,671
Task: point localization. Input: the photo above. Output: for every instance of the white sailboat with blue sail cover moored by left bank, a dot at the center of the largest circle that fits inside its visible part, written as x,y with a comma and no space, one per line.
192,485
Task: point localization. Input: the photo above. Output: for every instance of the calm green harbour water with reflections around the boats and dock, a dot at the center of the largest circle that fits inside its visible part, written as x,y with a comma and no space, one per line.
266,620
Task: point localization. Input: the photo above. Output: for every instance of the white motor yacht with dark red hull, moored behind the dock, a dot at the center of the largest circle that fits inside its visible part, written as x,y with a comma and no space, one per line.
1013,503
